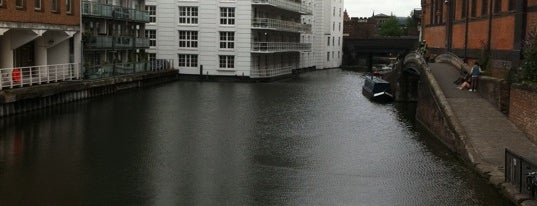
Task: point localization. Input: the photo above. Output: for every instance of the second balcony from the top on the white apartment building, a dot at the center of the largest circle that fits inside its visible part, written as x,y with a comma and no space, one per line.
276,24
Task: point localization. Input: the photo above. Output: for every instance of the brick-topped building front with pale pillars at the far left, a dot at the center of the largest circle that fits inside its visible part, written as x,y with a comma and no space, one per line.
35,36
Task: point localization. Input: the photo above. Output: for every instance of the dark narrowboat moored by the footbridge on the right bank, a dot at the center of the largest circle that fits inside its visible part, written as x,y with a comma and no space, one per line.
377,89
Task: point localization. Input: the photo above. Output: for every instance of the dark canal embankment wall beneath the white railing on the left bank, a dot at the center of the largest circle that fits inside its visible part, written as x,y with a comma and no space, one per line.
24,99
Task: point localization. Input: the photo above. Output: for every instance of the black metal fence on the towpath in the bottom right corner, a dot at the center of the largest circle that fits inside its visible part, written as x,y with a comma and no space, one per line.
517,172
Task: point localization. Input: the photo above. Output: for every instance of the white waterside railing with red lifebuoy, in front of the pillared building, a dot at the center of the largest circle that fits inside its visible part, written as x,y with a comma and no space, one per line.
28,76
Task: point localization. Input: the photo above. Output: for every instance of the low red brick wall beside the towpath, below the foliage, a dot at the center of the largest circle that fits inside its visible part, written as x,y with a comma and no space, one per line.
523,111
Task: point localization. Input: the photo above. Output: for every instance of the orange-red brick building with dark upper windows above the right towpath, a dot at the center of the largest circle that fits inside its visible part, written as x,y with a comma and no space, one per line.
480,30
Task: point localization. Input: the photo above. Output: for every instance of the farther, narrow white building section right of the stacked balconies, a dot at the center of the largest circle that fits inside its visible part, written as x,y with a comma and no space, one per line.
327,34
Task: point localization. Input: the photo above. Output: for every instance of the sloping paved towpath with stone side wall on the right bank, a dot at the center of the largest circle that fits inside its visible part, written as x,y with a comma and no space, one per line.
474,128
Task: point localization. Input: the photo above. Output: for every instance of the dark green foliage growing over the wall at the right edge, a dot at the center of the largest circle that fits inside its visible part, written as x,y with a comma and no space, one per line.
529,66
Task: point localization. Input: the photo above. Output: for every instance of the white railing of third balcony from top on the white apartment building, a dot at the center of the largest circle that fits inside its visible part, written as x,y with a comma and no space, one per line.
266,47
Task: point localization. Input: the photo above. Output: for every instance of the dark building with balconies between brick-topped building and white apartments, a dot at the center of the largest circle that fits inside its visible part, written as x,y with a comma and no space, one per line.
114,39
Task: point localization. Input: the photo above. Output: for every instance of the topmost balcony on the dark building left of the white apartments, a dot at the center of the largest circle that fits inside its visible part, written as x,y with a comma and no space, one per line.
113,12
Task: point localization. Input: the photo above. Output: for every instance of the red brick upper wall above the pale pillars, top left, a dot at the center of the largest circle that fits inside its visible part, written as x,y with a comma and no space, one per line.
9,13
